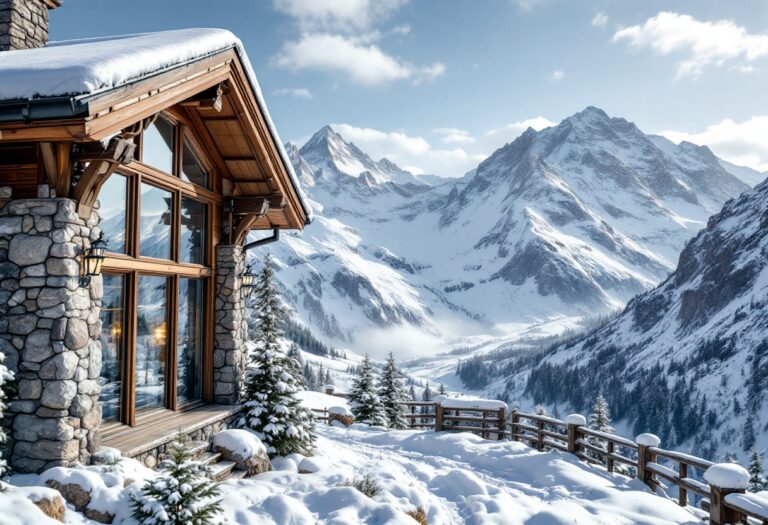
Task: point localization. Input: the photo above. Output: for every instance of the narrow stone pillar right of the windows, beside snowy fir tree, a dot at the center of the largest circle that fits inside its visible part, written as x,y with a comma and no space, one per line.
231,328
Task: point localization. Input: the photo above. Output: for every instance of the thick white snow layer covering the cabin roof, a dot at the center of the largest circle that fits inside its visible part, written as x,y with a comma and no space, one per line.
88,67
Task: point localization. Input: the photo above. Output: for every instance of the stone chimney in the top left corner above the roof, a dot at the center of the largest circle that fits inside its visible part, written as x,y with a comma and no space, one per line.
24,23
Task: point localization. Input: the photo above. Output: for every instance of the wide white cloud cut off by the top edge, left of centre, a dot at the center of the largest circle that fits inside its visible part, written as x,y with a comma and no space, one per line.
347,16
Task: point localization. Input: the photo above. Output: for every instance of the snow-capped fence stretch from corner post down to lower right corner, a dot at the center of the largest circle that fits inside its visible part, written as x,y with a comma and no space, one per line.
724,493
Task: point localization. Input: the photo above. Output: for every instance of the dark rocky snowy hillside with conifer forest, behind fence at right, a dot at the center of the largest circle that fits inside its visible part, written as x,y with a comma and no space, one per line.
688,360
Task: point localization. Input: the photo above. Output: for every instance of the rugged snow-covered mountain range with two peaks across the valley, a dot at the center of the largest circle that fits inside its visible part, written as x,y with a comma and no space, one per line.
572,220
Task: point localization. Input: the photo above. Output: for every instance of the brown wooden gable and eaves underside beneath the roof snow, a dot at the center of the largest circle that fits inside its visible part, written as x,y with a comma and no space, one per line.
238,136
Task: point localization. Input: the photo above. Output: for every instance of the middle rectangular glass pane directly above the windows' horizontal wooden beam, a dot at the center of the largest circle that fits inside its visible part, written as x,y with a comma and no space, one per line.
155,222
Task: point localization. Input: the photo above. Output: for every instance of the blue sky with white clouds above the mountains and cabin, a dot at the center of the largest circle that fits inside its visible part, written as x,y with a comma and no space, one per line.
437,85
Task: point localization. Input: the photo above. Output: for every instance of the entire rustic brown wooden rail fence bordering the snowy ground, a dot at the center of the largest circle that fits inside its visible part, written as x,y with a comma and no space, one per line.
643,457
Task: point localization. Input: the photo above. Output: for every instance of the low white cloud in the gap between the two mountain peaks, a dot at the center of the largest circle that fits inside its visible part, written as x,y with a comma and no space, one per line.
406,150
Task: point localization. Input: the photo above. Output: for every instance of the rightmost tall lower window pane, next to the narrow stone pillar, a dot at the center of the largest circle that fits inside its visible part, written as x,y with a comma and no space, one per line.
190,340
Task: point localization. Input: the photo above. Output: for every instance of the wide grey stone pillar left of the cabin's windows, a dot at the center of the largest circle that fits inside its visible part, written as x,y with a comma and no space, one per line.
49,332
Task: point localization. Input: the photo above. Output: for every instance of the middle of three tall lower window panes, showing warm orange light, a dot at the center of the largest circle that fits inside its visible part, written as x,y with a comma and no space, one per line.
151,341
